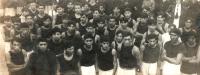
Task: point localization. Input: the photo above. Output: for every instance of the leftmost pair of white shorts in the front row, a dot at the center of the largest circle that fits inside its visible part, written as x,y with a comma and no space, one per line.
89,70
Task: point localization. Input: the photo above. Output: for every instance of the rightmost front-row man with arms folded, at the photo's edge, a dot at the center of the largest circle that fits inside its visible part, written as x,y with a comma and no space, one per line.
189,64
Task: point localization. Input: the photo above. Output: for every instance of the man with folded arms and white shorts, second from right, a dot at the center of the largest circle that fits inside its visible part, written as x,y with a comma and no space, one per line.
172,54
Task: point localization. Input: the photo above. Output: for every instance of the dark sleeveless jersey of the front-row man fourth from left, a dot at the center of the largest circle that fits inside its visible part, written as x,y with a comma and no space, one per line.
88,57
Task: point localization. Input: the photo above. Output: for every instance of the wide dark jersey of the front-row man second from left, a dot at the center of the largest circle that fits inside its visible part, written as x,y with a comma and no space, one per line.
42,63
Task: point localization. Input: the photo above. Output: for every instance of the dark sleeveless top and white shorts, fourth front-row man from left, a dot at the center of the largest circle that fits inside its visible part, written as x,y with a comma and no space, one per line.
88,61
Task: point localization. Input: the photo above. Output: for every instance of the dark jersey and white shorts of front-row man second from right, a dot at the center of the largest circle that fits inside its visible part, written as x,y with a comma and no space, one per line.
171,52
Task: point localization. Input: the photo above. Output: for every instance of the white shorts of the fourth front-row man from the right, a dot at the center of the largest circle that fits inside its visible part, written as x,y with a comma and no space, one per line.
121,71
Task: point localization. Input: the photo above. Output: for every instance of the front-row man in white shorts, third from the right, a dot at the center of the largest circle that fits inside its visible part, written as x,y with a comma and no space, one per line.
151,56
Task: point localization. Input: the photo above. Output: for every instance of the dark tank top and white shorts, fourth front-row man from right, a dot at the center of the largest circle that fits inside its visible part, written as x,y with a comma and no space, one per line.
127,61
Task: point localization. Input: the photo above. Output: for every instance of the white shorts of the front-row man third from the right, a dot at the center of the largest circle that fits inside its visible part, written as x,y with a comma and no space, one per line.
149,68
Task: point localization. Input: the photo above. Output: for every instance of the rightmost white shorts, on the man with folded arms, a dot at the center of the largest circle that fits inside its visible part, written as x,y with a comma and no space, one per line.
171,69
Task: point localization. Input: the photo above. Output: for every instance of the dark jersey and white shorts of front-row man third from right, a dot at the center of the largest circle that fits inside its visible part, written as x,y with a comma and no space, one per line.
150,60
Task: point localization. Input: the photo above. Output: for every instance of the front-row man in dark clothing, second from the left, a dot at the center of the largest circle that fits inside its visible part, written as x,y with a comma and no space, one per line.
42,61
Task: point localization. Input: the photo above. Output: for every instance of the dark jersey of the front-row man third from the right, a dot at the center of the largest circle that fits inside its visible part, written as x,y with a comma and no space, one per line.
151,55
